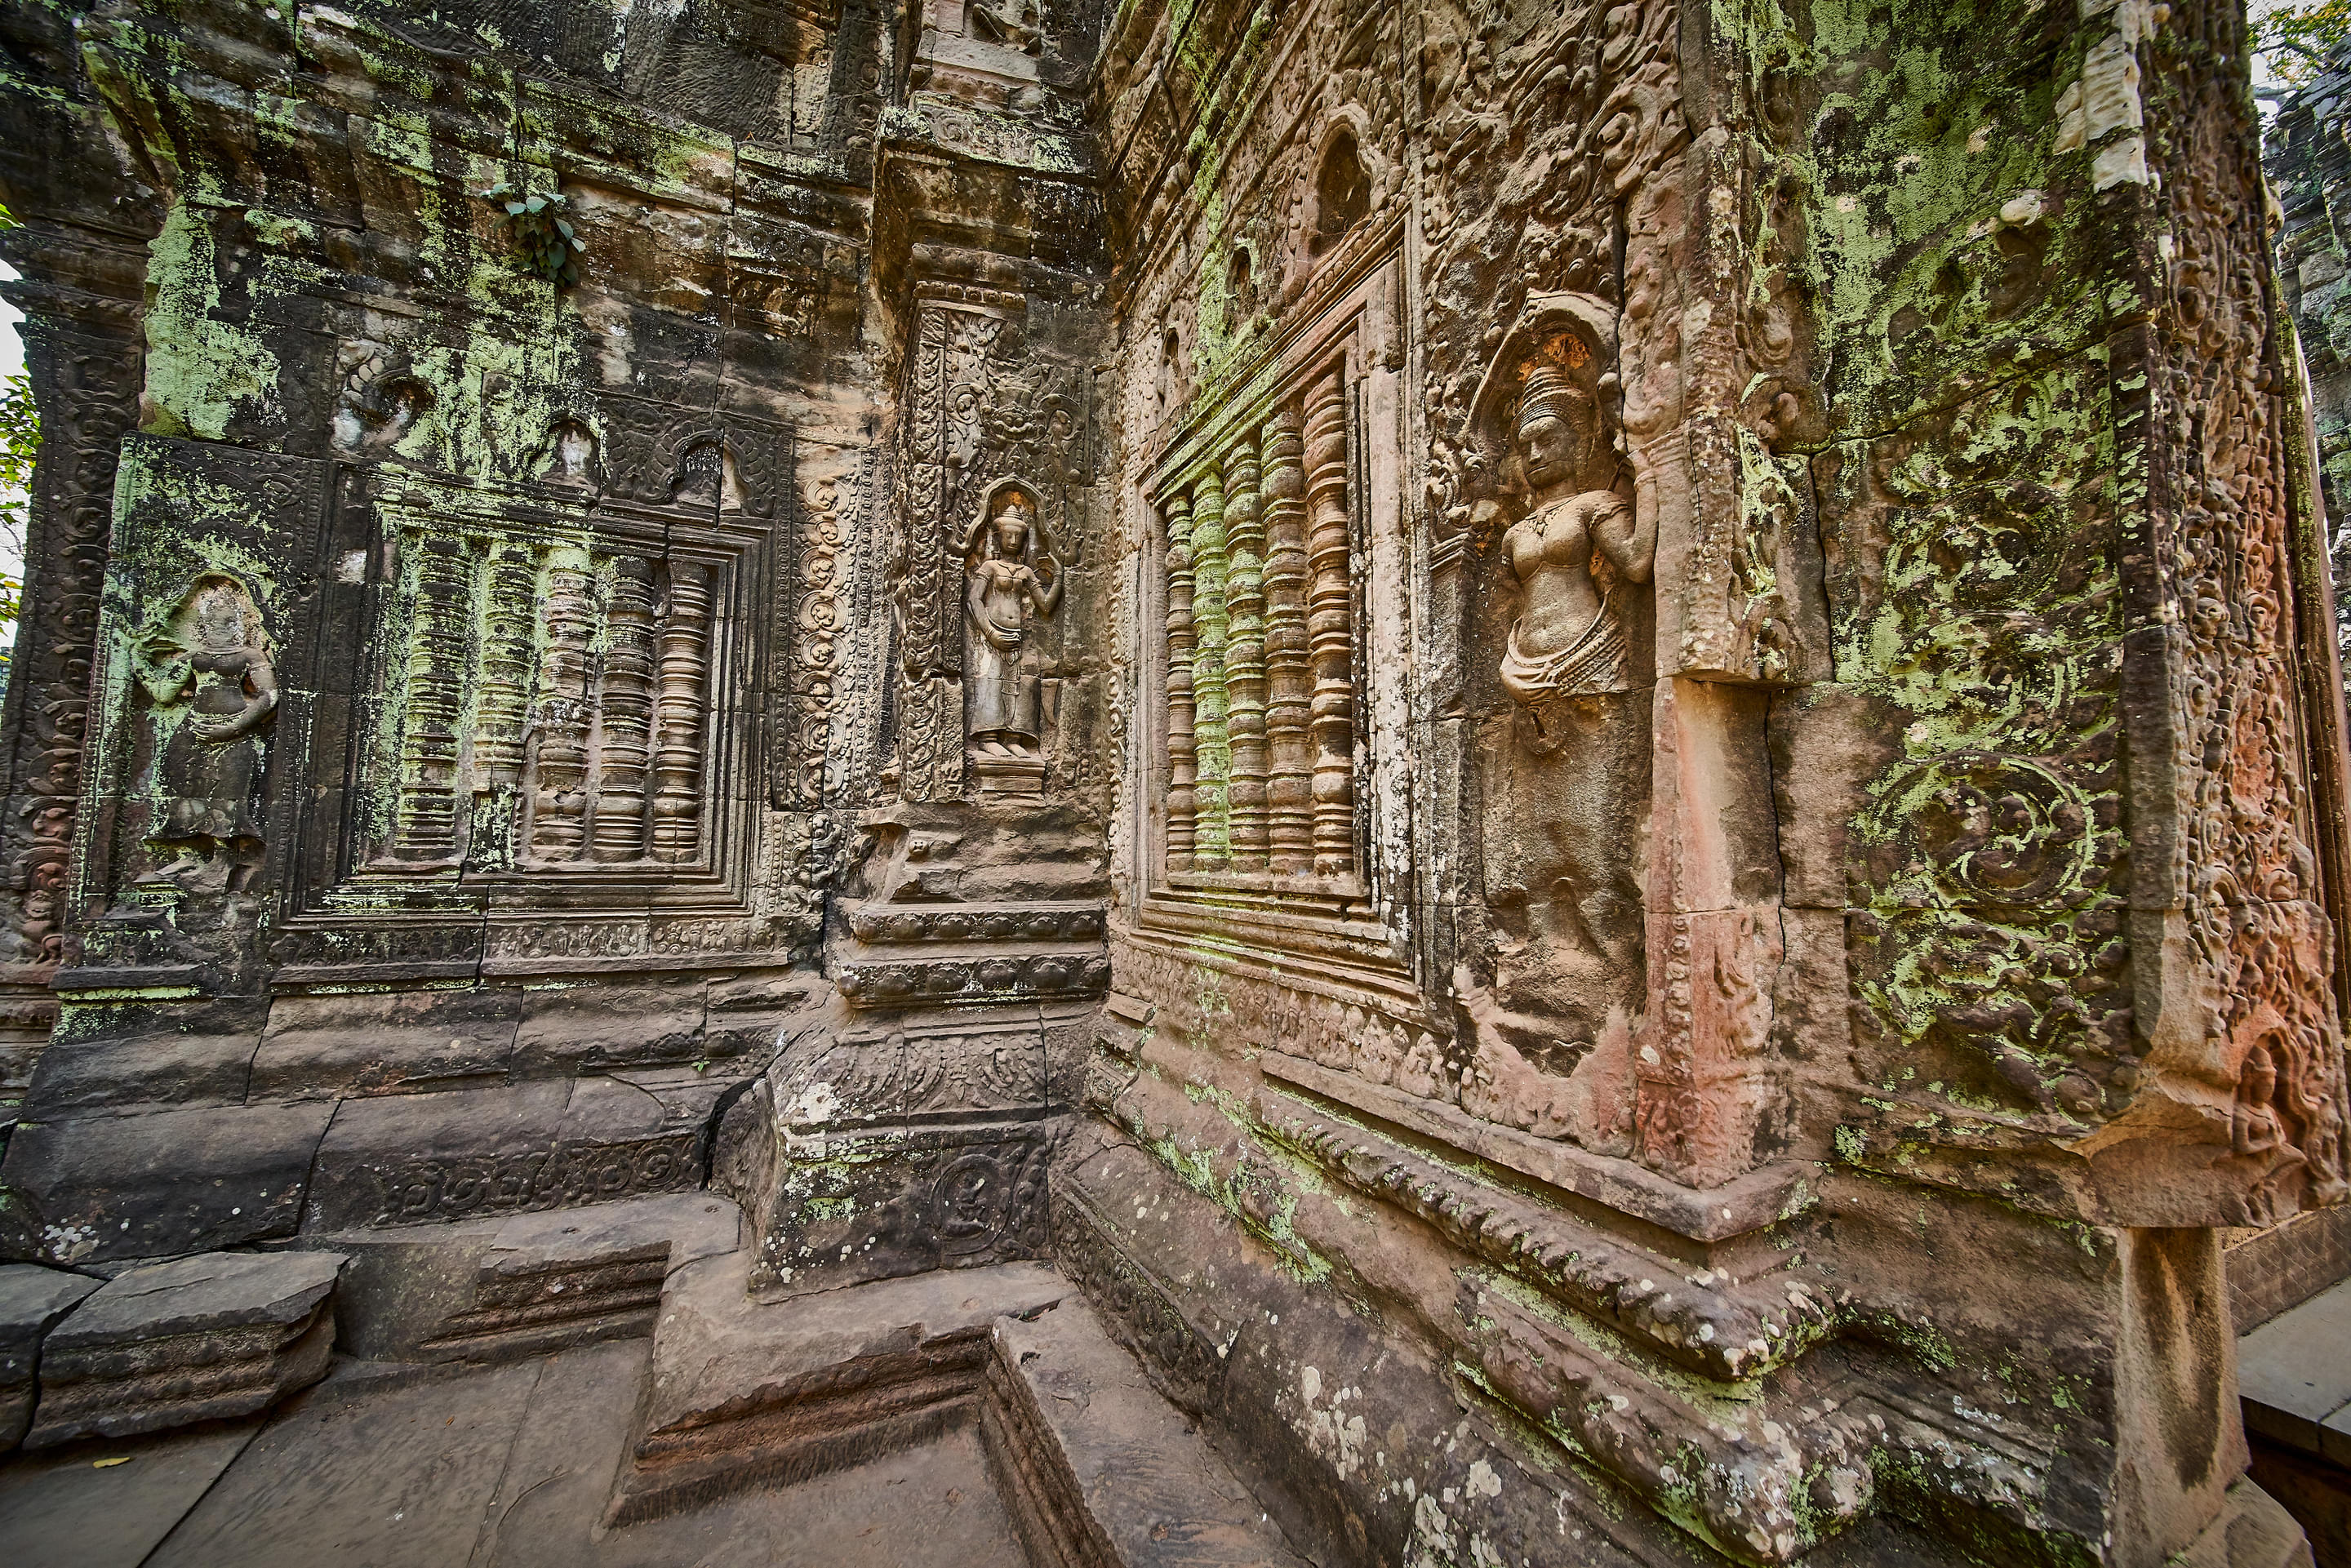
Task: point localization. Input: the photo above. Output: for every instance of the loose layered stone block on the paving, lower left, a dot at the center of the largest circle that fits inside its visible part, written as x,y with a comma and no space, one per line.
187,1341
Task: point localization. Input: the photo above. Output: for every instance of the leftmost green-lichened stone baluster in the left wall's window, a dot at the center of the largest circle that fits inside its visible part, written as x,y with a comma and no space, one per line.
431,735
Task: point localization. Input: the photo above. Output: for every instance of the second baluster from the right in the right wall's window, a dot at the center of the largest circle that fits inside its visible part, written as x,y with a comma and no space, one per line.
1290,798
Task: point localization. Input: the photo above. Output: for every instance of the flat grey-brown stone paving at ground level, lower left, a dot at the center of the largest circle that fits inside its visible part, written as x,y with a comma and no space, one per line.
504,1466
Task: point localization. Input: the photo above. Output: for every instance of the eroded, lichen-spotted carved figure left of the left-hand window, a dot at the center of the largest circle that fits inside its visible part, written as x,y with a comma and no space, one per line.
215,657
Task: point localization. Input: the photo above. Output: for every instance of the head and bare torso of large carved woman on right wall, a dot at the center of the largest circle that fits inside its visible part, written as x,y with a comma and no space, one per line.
1579,544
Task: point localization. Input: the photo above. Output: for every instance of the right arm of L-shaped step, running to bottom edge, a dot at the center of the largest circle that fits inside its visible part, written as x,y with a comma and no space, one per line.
1097,1468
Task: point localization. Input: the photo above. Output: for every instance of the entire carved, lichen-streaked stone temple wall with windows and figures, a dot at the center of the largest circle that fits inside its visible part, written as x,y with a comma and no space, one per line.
1593,746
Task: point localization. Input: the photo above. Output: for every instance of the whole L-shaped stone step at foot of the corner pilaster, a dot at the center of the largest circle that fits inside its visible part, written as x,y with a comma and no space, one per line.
1090,1461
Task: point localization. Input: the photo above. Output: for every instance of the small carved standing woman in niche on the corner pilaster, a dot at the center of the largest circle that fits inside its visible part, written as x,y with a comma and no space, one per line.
1012,582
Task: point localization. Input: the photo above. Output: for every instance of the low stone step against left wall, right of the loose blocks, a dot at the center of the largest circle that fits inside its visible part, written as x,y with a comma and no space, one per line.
521,1285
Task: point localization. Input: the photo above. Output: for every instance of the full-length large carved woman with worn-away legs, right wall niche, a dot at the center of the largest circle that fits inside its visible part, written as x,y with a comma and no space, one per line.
1565,756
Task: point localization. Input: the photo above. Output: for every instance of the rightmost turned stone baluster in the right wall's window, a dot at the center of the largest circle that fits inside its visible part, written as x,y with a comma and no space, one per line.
1329,626
